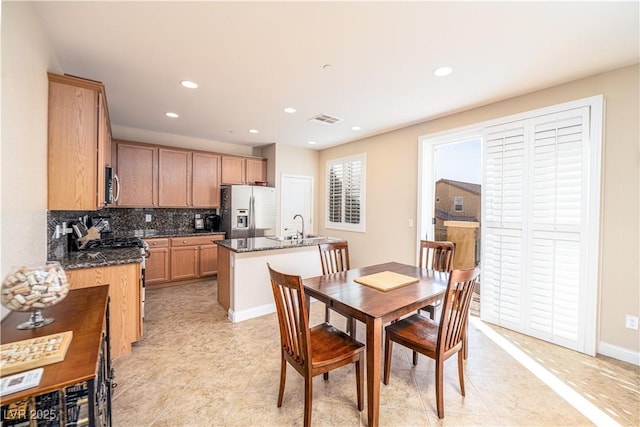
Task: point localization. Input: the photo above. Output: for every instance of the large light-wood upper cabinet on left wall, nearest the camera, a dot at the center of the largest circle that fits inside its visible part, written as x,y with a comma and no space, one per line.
78,143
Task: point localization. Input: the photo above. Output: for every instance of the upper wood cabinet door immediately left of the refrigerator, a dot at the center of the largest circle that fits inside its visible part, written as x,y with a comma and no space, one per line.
206,180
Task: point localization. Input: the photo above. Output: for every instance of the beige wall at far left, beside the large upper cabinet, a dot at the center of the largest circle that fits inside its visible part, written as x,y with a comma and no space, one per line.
26,58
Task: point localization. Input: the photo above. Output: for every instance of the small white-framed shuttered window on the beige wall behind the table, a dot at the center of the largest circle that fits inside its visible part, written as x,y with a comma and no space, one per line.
345,193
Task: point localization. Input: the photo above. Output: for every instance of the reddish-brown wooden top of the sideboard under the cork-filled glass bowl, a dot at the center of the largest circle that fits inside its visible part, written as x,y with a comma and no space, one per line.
83,312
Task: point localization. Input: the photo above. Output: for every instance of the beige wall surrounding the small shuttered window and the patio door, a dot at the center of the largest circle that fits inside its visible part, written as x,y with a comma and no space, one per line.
392,171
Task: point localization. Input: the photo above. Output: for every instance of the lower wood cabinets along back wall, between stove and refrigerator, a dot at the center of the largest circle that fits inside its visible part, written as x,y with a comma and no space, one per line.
181,258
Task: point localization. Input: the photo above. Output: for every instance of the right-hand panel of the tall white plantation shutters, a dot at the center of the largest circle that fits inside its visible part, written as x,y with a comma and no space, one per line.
559,184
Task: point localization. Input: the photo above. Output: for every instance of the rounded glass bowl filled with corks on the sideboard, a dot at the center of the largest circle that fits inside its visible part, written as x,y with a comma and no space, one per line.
29,288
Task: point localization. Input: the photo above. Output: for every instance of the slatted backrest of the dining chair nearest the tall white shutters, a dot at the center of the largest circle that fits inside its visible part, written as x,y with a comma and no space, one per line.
455,309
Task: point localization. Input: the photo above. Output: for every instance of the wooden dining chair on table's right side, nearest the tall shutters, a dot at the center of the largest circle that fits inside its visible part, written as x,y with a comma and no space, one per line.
438,341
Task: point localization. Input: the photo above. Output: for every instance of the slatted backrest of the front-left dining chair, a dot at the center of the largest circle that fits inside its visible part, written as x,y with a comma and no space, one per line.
291,306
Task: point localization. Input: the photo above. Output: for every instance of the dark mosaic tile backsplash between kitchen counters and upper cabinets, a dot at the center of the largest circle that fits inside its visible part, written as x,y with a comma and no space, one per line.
125,222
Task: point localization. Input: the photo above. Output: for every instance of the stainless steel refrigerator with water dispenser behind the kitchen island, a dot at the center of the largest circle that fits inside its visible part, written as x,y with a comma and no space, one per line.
247,211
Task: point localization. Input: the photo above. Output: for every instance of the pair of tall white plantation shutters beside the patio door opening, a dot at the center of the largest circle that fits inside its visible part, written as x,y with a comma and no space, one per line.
534,216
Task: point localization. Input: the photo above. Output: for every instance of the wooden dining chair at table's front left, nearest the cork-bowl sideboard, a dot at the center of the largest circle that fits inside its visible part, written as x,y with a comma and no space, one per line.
311,351
